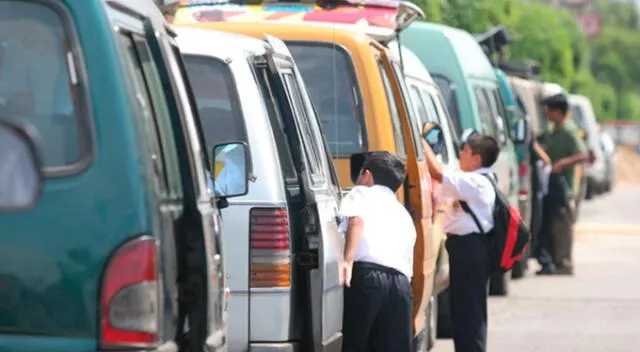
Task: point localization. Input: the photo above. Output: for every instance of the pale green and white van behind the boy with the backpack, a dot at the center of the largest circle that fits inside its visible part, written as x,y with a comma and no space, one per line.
472,93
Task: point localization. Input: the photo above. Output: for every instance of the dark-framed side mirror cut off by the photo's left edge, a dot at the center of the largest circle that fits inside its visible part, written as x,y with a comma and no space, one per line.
21,178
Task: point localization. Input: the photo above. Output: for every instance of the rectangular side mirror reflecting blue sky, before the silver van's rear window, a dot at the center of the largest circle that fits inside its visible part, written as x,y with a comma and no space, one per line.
230,169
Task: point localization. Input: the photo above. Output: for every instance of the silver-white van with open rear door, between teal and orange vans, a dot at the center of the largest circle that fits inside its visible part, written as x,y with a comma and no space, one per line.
283,247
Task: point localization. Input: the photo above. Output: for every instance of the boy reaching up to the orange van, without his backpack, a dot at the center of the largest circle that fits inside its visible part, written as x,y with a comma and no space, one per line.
468,248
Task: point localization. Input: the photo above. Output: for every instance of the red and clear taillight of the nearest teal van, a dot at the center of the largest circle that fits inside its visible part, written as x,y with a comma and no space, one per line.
130,297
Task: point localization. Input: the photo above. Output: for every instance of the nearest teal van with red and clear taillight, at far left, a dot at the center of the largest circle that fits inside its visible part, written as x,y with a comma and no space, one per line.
111,235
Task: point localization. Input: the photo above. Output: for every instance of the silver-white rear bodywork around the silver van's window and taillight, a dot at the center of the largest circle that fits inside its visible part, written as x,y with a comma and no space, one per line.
252,312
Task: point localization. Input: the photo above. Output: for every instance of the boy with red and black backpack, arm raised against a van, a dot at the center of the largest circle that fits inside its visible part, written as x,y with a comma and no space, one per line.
484,234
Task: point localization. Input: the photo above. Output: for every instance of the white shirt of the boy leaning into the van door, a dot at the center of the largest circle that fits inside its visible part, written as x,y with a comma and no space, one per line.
388,234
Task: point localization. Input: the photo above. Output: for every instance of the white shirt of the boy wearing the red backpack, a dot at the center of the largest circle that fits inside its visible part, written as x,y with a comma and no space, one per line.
477,191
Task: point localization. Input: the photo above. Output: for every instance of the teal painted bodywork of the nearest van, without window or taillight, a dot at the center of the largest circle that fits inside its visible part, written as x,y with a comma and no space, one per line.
52,304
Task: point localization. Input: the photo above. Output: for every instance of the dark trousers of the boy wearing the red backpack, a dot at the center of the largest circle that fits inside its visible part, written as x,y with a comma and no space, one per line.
469,269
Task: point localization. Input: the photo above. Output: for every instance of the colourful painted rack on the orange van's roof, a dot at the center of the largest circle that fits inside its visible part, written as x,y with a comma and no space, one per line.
381,19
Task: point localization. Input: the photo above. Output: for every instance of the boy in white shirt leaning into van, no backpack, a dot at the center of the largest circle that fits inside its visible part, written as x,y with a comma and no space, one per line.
380,236
